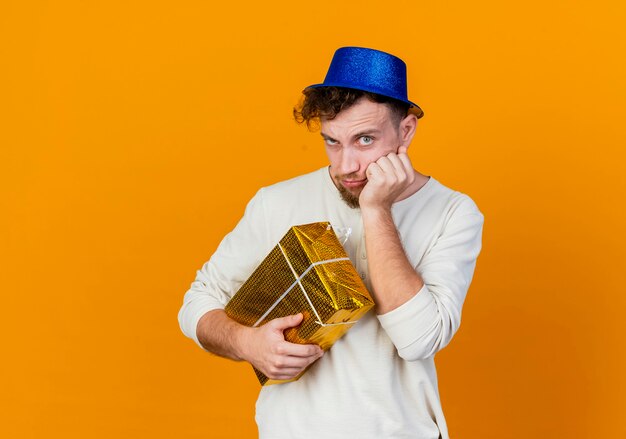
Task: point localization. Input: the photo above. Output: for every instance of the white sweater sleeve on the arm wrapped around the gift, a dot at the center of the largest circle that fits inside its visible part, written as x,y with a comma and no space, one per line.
239,253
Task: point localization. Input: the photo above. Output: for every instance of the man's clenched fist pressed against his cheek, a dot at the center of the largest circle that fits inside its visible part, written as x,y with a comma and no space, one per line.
387,178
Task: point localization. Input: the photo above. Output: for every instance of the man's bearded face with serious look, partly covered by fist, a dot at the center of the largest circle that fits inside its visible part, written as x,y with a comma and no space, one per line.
356,137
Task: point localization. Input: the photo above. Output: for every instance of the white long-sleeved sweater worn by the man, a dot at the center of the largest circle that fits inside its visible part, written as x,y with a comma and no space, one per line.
379,380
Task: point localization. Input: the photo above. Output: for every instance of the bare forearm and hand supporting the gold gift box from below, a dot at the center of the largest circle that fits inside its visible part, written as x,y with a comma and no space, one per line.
263,347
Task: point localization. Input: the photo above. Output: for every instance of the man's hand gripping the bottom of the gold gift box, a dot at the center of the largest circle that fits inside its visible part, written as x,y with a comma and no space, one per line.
267,349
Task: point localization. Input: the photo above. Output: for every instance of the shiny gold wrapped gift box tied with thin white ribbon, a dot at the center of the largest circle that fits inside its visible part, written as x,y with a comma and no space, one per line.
307,272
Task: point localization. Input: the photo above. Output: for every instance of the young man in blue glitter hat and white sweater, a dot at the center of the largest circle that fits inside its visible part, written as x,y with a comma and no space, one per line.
414,243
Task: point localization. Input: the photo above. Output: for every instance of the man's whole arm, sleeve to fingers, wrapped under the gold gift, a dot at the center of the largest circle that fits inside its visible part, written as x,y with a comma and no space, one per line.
203,319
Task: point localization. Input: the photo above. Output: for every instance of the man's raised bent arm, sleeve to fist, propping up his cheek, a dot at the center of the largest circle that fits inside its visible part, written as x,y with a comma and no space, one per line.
419,311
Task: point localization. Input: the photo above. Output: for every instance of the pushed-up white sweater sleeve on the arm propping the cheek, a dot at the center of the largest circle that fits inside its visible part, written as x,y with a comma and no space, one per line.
426,323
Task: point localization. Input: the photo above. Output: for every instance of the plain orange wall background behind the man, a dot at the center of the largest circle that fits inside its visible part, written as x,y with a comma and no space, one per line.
133,133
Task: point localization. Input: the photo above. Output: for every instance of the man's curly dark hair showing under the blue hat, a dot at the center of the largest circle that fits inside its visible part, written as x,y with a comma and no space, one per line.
328,102
